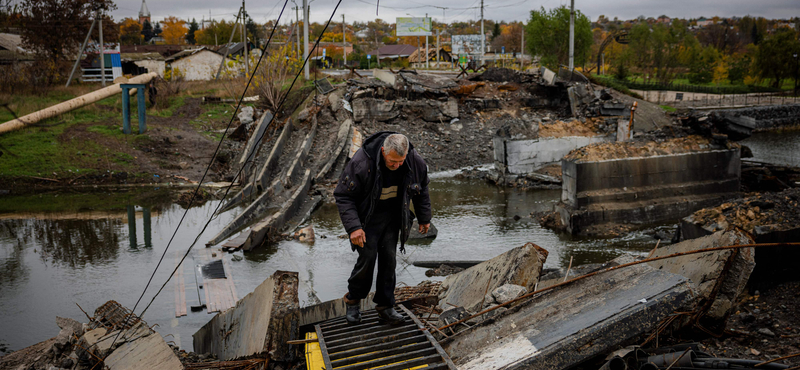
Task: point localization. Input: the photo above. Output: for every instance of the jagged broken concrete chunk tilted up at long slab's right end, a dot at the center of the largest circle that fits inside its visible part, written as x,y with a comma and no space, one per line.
718,277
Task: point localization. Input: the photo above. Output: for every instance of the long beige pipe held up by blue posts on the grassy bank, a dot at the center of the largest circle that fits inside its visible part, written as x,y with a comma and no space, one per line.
72,104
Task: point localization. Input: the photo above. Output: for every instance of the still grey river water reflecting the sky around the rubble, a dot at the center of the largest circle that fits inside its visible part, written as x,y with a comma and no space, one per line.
60,250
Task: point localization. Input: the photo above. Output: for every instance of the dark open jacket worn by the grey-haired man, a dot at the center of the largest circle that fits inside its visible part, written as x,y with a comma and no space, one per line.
360,187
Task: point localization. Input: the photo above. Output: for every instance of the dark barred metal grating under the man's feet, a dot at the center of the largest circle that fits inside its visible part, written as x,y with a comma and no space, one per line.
375,345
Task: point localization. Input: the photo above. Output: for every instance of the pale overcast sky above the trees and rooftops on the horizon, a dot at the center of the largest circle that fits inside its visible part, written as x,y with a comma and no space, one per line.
508,10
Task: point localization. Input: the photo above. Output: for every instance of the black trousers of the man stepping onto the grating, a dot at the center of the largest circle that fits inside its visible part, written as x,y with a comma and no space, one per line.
382,231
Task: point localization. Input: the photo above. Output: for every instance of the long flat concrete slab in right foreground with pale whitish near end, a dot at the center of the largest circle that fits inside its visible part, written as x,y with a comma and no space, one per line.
573,323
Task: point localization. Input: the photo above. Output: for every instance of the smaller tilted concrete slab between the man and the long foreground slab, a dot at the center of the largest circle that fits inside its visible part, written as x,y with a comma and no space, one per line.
519,266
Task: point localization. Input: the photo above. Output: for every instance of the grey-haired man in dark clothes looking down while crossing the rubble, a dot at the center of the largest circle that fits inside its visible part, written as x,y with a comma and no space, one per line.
373,197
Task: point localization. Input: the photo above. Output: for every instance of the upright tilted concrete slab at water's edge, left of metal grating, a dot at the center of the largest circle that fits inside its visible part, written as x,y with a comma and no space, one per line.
259,323
